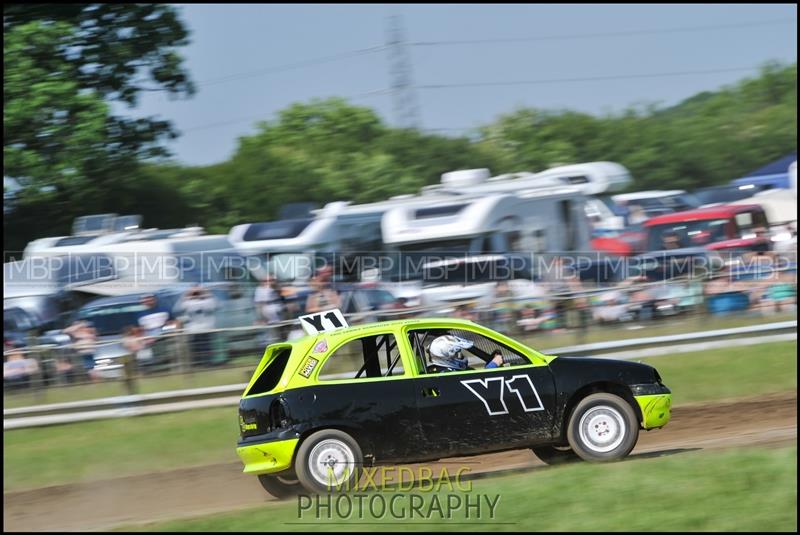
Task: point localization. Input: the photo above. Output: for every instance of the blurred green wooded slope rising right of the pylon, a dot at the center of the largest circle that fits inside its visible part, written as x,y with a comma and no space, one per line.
708,139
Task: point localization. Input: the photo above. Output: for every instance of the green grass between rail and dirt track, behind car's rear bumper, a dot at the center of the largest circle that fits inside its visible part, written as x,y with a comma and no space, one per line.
122,446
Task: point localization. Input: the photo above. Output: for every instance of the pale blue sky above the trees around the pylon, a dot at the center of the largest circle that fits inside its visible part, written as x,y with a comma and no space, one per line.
232,39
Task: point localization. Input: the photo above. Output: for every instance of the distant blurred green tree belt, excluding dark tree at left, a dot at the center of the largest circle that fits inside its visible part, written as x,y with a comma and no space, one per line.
329,150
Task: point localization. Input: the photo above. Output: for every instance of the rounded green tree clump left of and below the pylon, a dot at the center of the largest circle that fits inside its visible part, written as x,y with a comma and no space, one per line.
322,151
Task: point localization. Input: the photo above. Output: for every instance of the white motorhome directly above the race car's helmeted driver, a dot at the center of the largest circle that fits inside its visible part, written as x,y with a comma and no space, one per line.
468,234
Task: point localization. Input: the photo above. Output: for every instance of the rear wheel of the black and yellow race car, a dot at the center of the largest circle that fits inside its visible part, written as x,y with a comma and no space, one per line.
329,460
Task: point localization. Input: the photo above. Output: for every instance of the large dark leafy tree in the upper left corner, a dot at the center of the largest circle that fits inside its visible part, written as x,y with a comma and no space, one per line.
63,146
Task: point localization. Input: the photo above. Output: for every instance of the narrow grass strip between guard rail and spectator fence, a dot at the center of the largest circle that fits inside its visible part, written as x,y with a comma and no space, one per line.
245,365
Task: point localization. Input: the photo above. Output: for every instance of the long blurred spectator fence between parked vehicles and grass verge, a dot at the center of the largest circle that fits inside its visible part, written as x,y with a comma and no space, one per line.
42,367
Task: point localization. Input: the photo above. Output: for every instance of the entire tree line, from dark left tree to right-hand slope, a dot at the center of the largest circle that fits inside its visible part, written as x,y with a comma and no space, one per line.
70,155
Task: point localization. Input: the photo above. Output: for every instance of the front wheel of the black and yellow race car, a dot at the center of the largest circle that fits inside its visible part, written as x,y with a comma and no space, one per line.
603,427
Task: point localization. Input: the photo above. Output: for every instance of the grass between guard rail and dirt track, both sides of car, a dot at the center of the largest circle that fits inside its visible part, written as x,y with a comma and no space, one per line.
111,448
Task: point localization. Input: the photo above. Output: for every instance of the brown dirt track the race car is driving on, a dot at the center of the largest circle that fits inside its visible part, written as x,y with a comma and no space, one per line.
205,490
